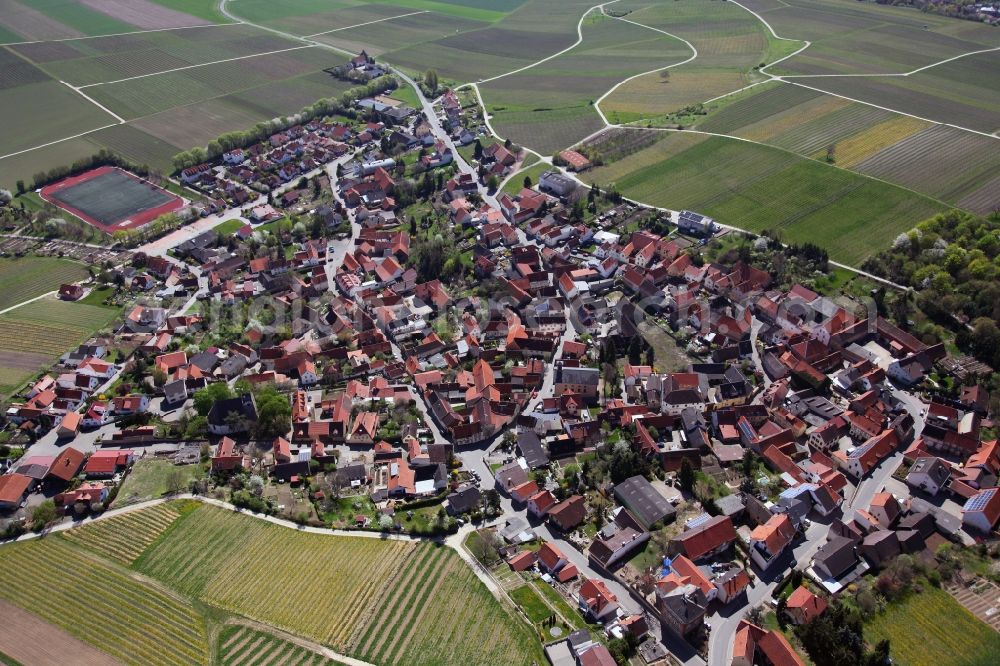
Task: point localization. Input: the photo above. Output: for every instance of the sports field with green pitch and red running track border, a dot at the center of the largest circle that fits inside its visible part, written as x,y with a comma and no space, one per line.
111,199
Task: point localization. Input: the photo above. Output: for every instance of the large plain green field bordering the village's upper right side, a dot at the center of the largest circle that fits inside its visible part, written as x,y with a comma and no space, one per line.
756,187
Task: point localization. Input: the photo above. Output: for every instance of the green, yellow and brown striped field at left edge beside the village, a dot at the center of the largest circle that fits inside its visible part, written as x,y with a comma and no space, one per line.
33,336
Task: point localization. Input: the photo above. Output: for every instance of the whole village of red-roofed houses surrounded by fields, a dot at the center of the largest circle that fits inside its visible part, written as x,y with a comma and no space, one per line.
378,323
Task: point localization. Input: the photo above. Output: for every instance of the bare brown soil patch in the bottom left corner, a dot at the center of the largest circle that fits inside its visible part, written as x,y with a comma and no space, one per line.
32,641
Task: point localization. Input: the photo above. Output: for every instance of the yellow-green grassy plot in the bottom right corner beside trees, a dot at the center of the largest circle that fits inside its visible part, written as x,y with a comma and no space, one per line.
933,628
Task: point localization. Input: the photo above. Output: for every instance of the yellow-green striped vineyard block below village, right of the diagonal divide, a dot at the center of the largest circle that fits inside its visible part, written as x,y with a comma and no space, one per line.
228,561
